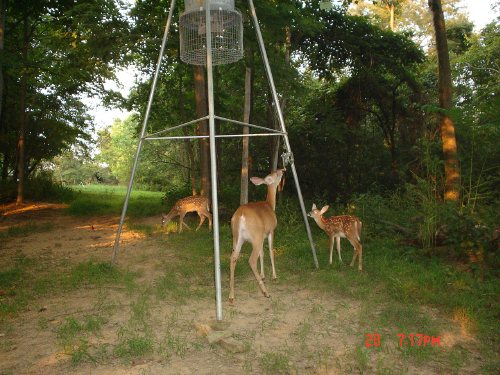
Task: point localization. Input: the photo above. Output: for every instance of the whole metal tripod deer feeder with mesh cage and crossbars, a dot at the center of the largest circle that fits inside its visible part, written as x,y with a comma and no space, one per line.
223,44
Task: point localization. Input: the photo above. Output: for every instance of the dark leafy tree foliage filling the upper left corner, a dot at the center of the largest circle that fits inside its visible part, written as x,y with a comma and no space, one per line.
52,55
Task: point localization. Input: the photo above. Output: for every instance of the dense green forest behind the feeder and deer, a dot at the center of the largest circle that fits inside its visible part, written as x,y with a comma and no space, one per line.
358,85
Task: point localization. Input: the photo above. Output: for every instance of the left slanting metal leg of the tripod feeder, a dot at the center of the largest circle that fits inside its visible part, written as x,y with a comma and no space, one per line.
141,139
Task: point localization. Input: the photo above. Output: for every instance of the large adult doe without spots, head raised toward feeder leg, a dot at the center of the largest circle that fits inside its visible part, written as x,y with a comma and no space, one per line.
253,222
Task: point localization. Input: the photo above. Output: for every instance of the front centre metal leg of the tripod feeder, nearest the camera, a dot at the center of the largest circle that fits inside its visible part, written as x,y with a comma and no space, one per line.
213,161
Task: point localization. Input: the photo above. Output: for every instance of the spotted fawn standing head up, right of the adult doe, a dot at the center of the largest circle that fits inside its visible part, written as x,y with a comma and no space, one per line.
337,227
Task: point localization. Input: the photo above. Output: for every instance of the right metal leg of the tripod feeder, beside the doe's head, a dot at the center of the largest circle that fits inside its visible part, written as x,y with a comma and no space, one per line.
282,124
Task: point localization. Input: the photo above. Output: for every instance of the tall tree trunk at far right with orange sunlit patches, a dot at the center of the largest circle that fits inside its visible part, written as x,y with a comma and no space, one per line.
446,125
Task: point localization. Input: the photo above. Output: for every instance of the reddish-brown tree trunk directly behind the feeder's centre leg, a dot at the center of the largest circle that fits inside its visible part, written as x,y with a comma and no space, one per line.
200,93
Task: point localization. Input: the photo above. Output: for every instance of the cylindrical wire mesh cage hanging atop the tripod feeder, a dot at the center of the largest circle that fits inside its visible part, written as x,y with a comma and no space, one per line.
226,31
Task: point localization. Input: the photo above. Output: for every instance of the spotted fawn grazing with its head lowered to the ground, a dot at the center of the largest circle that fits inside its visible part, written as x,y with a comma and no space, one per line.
199,204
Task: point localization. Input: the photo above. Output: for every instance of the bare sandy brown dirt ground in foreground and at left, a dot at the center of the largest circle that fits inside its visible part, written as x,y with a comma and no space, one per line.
316,333
